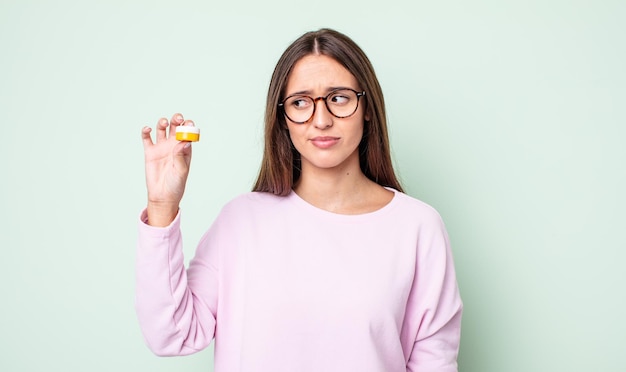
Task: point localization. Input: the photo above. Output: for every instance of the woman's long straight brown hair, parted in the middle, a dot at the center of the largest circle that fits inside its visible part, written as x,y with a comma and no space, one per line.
280,167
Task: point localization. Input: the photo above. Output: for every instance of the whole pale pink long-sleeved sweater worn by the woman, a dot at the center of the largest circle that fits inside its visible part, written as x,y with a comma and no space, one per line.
284,286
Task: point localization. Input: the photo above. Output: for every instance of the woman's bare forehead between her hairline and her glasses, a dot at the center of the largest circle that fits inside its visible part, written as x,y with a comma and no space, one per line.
317,74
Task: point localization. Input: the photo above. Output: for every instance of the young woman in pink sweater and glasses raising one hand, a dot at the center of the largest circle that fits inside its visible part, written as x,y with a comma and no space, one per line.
326,265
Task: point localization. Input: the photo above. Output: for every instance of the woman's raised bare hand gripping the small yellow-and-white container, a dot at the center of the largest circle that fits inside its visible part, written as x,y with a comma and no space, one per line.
167,166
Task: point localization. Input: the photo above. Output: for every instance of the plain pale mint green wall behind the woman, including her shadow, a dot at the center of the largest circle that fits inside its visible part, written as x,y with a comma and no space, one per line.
507,116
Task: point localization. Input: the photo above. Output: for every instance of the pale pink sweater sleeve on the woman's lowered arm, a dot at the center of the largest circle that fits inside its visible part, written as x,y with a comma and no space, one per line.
435,307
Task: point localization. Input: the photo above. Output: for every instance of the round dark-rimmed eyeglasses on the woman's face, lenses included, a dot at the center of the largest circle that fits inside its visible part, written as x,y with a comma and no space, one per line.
341,103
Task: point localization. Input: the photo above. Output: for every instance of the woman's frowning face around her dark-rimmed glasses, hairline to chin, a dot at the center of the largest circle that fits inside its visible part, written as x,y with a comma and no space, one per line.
325,141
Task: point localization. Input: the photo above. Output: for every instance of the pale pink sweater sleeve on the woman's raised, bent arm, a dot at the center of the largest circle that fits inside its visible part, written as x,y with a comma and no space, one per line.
174,318
